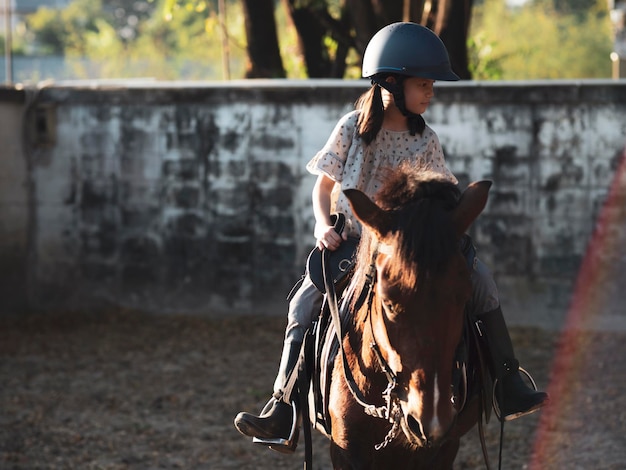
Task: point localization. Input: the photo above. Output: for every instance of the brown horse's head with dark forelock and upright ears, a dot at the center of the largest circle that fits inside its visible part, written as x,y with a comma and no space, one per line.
412,234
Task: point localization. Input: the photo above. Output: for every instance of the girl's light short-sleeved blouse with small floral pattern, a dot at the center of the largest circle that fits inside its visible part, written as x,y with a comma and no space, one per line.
351,164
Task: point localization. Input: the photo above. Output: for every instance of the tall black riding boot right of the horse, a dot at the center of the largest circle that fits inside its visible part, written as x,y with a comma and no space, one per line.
514,397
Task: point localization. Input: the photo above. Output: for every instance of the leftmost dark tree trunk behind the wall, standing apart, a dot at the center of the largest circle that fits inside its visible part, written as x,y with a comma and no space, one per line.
264,59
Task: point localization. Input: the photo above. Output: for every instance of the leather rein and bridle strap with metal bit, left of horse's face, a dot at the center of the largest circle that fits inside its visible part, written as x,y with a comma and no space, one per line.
391,410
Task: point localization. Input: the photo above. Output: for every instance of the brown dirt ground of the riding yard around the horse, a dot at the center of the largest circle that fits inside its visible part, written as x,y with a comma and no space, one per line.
126,390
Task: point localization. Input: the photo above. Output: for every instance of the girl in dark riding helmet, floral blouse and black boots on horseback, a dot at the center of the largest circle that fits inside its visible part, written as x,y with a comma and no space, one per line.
403,61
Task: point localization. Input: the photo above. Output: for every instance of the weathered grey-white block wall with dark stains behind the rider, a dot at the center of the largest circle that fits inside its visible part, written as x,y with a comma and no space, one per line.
195,197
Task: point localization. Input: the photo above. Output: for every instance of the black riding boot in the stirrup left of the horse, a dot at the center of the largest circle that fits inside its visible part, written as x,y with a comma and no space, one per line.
276,426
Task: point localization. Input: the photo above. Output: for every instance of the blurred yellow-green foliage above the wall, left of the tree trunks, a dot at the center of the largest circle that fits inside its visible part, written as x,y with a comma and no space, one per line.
128,39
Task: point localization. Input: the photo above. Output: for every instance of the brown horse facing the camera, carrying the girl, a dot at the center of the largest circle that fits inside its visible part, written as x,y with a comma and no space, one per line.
393,402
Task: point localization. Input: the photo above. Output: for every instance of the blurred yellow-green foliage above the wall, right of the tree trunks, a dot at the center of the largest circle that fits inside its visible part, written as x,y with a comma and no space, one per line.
539,41
